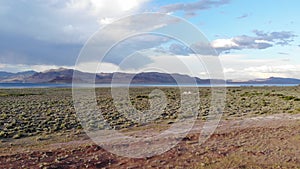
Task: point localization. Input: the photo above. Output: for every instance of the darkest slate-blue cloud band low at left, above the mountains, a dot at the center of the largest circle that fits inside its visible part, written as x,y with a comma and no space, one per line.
20,49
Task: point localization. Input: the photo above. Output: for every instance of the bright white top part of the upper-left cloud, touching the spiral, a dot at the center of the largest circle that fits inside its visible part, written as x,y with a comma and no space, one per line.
101,12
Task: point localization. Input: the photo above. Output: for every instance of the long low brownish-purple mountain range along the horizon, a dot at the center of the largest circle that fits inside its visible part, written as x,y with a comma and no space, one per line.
66,76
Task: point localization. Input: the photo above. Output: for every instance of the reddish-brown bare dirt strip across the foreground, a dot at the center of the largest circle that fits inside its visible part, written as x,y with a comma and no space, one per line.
269,142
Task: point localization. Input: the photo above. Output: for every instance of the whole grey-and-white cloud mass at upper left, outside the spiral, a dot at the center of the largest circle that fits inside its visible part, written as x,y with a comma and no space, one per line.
53,32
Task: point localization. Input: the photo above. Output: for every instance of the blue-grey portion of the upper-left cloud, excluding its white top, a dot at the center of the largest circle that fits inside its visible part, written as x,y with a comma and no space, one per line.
34,32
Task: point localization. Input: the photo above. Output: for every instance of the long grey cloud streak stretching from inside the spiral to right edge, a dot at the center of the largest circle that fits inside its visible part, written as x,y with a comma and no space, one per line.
262,40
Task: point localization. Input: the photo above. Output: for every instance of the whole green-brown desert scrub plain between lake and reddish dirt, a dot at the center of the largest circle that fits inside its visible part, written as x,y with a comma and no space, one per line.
30,112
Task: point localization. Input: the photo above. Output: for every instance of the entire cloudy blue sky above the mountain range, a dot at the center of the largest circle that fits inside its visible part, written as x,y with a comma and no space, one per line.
252,39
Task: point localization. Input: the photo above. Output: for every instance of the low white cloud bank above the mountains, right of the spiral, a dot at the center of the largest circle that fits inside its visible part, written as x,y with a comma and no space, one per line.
241,68
